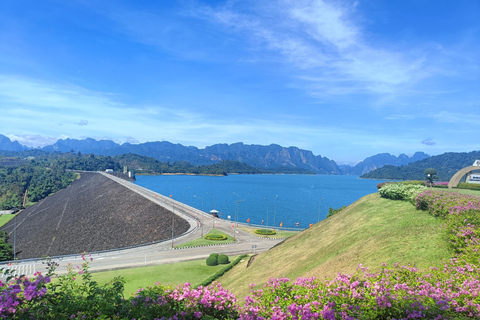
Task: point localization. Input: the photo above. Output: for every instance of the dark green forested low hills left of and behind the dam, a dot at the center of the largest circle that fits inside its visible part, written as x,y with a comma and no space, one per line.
43,173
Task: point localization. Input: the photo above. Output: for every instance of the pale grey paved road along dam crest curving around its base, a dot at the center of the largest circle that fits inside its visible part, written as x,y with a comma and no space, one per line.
161,253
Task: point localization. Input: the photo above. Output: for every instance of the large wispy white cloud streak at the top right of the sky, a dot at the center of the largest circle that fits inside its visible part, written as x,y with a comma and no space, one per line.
325,41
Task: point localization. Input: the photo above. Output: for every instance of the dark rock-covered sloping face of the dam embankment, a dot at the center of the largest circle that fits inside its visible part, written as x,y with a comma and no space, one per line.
94,213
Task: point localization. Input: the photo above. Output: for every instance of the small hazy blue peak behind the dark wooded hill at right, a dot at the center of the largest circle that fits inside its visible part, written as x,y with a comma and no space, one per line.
382,159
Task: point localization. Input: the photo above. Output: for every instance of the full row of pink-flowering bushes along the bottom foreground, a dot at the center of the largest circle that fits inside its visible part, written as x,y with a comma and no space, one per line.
392,293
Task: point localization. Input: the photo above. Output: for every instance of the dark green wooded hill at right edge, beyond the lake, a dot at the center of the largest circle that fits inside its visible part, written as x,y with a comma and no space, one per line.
446,164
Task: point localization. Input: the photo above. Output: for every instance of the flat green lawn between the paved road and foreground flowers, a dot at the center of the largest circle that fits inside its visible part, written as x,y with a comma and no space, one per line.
194,272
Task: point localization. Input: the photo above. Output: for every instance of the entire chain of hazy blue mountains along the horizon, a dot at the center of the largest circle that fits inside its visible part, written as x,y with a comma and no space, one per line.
273,158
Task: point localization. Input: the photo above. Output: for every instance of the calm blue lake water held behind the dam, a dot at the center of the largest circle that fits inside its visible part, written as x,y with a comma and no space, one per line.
290,199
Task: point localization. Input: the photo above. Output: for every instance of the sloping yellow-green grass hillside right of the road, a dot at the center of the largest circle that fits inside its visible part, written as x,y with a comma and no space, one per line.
371,231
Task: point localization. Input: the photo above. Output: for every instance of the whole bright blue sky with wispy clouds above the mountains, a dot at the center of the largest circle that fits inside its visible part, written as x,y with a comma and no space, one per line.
344,79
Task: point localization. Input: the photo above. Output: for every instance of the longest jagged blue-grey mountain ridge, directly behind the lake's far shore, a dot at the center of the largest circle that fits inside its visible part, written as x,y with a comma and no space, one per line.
270,157
